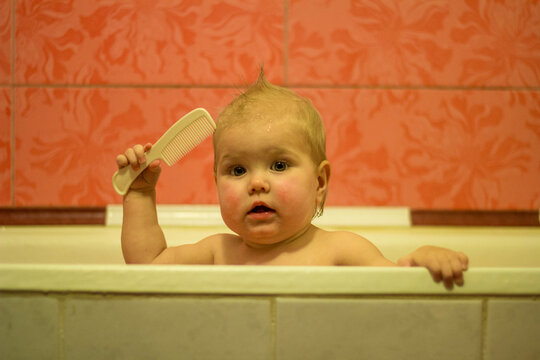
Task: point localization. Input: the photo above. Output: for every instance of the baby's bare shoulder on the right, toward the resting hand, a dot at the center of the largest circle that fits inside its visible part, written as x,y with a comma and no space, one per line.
353,249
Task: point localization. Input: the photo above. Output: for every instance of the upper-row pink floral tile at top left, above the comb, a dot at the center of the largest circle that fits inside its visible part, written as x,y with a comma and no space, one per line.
151,42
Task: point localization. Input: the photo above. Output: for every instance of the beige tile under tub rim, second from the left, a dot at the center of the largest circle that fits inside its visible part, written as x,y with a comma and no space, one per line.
167,328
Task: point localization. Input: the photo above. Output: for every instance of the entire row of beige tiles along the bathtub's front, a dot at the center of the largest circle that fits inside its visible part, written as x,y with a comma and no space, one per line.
176,327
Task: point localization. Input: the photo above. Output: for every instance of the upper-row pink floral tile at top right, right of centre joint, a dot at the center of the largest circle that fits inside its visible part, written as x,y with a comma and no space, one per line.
396,42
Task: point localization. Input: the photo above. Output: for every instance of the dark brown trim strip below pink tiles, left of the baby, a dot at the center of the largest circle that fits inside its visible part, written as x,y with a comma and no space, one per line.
52,215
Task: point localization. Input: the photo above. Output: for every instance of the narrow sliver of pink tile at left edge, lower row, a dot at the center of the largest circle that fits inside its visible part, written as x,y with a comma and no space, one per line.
5,146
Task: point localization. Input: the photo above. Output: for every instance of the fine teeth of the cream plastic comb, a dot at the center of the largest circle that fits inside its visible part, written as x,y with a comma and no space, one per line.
191,136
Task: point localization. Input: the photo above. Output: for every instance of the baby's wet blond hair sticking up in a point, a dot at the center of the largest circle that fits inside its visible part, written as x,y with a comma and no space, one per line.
278,102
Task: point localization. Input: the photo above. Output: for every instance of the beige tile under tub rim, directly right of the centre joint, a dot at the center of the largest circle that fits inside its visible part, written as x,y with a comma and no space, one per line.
378,329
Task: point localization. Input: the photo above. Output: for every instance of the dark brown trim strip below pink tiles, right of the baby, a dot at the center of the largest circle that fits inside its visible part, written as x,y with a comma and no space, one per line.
475,217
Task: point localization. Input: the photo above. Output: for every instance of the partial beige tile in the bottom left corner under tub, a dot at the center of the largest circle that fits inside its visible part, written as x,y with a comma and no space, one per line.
28,327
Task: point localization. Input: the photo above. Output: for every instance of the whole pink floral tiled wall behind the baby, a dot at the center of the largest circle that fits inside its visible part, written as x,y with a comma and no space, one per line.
427,104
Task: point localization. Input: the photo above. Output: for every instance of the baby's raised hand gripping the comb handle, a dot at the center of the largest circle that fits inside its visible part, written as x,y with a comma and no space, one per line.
135,157
